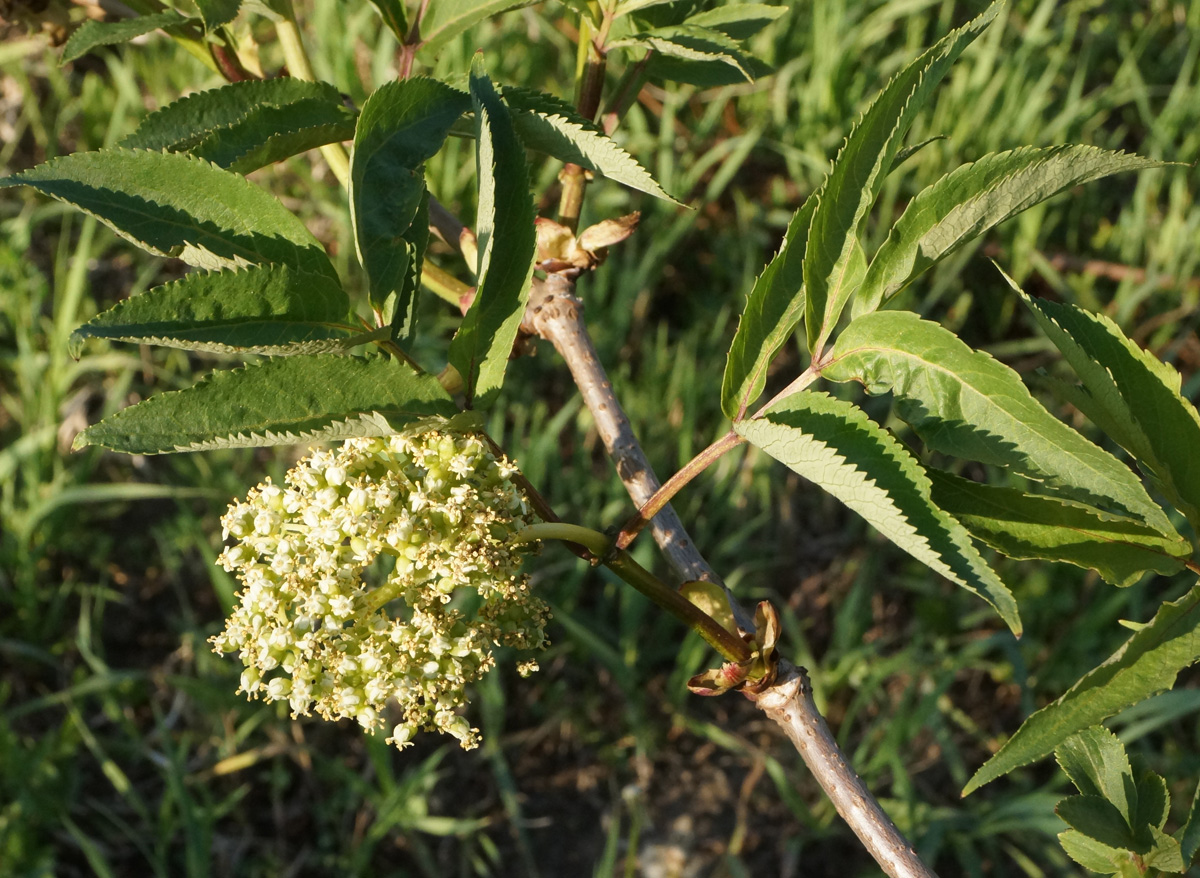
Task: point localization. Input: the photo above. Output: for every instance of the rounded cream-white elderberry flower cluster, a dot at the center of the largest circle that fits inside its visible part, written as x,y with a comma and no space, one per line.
441,512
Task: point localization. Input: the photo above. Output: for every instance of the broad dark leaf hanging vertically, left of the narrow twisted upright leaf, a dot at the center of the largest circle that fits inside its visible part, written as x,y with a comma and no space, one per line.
401,127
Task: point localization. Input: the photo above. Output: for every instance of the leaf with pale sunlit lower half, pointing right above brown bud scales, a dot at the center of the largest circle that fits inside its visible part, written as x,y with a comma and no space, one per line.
553,127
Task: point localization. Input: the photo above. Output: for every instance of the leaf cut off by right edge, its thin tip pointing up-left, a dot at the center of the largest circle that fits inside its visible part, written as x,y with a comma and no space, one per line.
1131,395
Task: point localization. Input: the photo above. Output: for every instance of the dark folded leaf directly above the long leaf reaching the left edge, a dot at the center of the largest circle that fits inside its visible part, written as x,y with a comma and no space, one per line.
244,127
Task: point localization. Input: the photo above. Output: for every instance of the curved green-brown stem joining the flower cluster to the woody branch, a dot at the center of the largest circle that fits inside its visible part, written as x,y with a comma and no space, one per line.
621,563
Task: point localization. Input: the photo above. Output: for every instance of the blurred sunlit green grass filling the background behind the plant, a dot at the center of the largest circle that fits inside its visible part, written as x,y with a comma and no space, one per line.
123,748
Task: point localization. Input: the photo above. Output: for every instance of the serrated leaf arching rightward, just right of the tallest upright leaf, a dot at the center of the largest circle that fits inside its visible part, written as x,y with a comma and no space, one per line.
975,199
